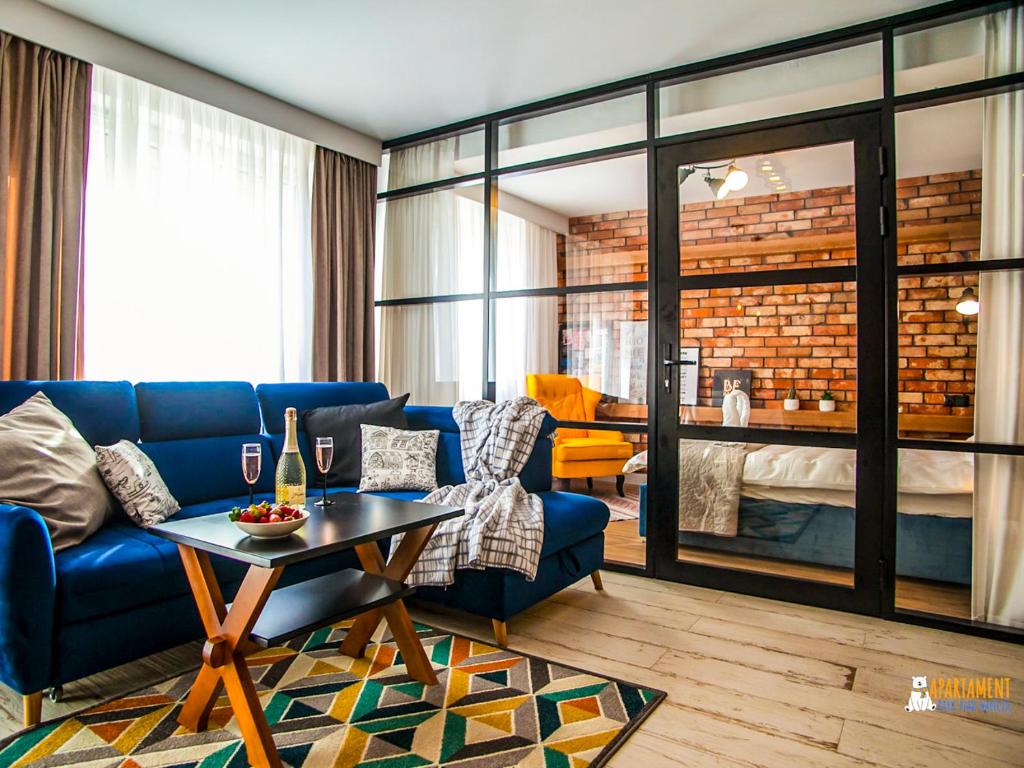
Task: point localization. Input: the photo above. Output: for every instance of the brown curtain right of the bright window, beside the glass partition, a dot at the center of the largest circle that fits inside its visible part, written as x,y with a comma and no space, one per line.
345,206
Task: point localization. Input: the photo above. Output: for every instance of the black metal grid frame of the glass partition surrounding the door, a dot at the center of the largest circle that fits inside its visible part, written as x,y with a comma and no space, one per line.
885,423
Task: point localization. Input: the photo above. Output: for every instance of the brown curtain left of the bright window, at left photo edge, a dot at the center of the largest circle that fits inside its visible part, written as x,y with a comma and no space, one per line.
45,129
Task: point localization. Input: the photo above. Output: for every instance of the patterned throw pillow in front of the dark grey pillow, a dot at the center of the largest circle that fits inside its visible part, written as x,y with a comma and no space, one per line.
399,459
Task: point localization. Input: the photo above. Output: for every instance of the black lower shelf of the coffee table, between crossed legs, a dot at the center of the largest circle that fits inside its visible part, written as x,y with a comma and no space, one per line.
295,611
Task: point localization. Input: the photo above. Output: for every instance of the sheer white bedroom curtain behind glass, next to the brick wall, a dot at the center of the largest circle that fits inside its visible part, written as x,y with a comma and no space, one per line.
526,329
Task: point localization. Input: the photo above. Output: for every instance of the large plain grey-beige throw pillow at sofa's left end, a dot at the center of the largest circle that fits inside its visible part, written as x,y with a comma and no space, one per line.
46,464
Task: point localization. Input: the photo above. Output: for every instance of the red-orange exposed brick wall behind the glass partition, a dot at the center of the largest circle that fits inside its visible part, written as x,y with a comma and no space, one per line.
801,335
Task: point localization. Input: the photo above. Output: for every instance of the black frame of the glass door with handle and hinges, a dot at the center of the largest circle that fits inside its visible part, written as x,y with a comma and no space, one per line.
863,132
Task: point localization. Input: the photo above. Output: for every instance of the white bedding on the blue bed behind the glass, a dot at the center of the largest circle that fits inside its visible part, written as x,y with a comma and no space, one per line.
931,483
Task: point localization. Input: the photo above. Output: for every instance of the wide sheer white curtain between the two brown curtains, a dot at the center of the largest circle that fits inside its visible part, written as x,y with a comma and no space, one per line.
197,241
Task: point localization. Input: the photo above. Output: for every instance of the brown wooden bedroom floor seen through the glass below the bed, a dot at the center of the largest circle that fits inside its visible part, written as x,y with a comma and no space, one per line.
624,545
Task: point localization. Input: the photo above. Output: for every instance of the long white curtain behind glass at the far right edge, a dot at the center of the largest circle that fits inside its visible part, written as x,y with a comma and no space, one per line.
998,589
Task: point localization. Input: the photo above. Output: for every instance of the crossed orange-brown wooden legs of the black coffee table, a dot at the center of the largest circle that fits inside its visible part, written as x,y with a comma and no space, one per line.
228,643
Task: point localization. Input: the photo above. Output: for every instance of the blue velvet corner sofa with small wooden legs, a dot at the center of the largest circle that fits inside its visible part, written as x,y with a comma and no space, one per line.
122,594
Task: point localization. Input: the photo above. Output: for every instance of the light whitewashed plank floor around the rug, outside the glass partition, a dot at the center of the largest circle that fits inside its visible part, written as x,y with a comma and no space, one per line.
751,682
